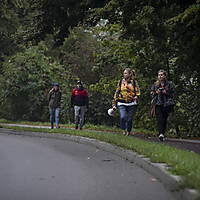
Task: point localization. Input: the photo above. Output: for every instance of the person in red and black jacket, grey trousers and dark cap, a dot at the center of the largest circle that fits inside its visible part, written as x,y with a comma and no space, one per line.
79,101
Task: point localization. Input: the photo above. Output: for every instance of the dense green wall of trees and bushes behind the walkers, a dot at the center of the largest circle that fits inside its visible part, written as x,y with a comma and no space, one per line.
47,41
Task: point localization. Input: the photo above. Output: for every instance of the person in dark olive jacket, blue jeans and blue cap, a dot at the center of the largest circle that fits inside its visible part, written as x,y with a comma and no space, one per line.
54,98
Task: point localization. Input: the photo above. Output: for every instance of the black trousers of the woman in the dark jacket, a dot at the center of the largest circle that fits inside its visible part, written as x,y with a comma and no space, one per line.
161,116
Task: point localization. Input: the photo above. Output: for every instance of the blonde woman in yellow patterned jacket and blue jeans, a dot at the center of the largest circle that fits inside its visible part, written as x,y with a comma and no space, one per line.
125,99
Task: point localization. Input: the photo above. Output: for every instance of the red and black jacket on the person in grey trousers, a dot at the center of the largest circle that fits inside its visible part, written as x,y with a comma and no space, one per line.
79,97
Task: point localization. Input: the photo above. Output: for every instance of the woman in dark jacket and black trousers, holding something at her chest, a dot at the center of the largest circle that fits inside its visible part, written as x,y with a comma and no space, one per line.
162,93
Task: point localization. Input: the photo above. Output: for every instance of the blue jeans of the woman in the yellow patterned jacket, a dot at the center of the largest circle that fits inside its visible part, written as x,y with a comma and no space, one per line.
126,116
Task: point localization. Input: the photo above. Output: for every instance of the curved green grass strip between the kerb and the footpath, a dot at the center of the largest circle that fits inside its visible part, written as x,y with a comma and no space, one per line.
181,162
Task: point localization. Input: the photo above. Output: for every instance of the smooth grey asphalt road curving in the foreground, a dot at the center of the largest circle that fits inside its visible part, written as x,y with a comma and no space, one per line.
36,168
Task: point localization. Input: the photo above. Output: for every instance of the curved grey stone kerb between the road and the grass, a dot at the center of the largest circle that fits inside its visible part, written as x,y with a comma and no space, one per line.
158,170
